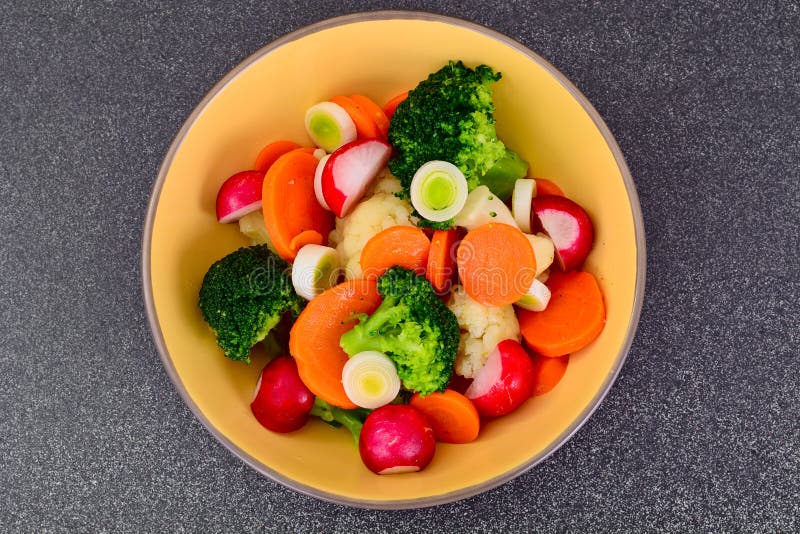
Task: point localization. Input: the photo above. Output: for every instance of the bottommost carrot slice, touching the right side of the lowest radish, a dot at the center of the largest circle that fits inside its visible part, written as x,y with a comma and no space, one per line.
452,416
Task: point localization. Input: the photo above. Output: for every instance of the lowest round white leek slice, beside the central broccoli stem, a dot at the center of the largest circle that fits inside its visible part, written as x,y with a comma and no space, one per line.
370,379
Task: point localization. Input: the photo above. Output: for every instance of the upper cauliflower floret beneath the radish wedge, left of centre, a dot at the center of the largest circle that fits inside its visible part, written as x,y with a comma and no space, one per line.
380,210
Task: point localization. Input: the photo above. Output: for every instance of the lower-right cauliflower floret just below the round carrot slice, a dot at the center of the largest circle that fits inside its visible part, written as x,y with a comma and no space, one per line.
482,328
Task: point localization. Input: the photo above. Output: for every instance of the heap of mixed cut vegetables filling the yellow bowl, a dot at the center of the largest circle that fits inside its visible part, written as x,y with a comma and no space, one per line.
407,277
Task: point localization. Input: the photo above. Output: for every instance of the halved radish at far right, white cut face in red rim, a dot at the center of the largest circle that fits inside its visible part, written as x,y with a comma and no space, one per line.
568,225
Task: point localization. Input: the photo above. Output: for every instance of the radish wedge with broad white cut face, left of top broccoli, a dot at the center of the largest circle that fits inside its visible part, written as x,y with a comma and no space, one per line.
350,170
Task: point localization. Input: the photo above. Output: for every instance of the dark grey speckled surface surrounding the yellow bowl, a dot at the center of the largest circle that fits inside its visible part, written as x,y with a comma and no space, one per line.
700,432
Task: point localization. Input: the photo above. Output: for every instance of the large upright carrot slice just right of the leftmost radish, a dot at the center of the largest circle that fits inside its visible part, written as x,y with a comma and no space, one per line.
292,215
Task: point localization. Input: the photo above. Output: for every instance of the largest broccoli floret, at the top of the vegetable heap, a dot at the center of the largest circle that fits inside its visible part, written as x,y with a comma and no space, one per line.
448,117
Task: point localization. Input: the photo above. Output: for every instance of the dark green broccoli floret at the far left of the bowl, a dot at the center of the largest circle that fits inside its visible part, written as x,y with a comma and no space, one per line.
244,295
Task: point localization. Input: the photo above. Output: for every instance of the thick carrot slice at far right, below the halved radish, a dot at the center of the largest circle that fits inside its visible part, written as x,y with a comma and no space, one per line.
574,317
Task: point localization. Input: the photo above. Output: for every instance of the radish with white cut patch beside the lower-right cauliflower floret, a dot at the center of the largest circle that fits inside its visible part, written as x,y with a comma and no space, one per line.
504,382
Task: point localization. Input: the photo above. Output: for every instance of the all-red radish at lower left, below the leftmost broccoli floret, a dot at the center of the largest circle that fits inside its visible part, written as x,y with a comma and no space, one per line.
281,401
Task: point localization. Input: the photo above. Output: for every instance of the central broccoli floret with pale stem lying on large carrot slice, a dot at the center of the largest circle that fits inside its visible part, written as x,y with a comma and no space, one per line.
411,326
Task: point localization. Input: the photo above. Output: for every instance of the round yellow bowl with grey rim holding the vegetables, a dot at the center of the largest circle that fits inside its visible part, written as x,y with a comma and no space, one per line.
539,113
